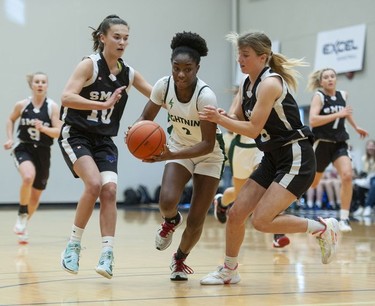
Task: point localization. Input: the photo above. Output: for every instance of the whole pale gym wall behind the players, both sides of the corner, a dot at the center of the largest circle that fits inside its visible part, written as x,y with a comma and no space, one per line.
56,36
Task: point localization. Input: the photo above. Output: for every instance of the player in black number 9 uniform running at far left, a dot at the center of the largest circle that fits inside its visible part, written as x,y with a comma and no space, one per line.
38,124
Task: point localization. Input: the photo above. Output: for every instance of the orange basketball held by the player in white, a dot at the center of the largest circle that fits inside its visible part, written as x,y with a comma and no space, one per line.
145,139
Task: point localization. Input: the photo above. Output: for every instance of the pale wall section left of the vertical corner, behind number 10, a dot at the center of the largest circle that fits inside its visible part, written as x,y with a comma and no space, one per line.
56,35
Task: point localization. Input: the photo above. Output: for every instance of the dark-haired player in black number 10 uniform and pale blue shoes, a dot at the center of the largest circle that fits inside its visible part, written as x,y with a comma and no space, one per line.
93,102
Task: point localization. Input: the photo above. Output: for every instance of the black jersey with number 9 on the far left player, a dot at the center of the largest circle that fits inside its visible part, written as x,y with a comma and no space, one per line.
27,132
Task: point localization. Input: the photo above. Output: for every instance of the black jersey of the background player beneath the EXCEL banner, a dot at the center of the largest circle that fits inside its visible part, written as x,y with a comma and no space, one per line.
334,130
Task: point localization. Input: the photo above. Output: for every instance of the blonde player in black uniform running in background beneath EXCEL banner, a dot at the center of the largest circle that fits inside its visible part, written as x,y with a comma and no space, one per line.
328,112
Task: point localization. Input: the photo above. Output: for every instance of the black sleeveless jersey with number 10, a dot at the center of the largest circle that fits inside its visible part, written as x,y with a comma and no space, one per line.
101,122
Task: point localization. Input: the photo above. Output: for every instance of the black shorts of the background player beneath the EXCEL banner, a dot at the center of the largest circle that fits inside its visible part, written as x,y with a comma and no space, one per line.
327,152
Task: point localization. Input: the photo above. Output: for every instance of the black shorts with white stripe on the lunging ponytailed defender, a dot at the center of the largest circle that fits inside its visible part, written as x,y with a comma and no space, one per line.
293,166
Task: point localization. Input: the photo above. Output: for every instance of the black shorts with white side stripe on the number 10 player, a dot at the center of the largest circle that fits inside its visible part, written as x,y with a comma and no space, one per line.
75,144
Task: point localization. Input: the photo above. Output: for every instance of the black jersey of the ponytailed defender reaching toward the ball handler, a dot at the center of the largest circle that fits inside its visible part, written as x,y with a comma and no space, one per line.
284,123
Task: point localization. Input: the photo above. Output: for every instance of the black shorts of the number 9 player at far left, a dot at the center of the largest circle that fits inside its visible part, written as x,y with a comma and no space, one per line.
40,156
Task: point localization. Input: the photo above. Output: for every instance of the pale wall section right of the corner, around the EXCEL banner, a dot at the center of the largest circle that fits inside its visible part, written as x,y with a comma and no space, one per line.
295,23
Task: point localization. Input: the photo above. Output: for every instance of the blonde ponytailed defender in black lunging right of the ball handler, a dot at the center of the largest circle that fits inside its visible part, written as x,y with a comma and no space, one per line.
269,114
